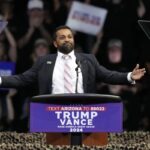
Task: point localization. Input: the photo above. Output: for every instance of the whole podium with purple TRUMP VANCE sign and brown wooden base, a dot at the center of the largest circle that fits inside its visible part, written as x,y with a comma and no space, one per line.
76,119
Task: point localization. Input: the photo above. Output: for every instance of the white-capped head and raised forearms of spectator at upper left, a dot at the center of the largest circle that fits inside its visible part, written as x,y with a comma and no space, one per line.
36,18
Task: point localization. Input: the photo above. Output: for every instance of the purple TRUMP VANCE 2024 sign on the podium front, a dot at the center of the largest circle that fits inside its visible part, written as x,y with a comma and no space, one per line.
85,118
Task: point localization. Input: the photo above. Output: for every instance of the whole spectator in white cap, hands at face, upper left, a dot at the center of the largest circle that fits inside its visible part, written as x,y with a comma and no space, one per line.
34,28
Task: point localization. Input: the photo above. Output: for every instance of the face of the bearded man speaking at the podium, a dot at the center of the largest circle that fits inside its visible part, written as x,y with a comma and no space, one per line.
64,41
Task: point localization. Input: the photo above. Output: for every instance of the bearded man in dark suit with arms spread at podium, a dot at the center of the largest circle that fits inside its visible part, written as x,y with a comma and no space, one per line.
68,71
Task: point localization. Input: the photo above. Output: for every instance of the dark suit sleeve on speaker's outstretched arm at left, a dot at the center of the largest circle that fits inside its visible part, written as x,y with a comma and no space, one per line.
24,79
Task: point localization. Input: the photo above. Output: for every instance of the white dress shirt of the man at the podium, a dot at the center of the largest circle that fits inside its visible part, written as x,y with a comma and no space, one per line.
58,78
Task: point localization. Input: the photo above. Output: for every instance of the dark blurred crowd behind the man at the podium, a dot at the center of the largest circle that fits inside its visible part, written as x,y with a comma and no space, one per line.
120,46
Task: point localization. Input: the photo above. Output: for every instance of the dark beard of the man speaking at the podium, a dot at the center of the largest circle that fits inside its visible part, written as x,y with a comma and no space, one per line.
66,48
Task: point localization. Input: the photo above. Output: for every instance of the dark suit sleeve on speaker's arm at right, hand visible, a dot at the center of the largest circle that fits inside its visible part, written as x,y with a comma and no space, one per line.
111,77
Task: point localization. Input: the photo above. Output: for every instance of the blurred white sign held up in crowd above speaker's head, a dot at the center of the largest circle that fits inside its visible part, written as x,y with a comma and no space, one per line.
86,18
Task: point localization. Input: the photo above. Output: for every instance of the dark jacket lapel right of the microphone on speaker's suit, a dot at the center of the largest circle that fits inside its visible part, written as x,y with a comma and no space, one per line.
84,70
